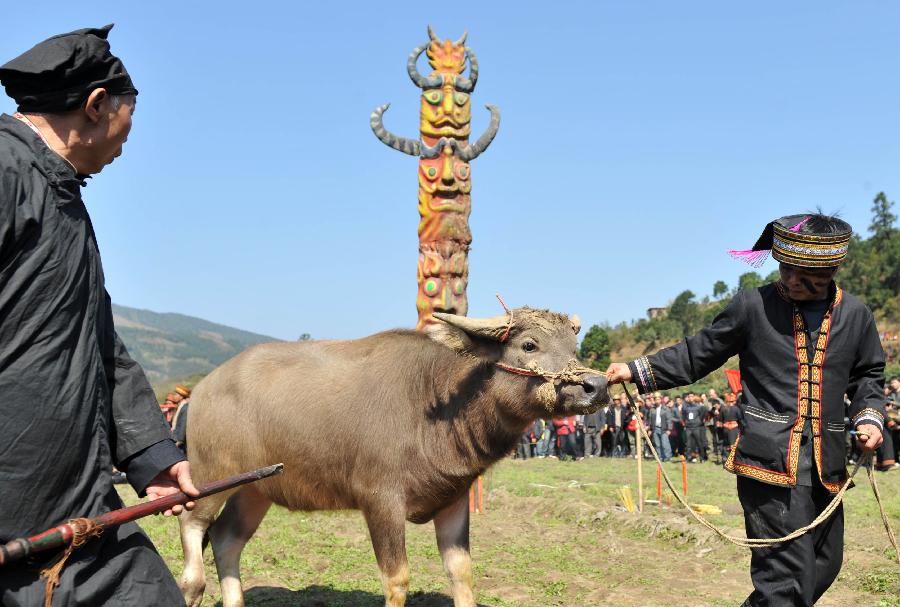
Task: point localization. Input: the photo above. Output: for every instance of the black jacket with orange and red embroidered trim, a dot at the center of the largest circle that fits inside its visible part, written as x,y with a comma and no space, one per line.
786,371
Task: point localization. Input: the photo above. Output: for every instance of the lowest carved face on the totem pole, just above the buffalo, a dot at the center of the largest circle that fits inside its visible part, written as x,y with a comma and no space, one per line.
443,274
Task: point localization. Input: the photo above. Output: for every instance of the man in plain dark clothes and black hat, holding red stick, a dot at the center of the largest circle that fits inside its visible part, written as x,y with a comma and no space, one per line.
72,402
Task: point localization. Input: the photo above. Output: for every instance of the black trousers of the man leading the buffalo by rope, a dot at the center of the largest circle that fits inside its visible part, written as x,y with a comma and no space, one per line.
798,572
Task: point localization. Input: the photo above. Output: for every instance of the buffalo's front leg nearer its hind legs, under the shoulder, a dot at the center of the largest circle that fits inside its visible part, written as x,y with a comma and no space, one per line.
387,528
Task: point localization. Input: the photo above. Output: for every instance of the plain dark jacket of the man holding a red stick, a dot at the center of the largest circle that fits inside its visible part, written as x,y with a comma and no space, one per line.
72,402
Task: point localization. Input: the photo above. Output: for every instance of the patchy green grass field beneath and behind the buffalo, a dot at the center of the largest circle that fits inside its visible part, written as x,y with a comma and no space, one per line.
554,534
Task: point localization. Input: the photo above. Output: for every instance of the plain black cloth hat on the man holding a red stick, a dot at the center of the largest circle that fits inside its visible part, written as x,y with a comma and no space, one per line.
58,74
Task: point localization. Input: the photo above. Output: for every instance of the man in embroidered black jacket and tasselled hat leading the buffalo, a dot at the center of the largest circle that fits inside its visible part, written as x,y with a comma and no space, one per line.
802,343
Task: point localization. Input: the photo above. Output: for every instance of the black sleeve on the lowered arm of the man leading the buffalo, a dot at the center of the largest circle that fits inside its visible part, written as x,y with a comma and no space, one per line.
866,386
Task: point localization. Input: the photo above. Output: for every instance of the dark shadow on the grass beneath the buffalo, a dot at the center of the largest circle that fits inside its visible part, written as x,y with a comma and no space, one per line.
325,596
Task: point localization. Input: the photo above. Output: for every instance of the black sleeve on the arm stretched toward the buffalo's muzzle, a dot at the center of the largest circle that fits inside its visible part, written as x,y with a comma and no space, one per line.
696,356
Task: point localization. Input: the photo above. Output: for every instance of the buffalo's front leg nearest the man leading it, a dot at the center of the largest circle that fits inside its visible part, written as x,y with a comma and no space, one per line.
451,526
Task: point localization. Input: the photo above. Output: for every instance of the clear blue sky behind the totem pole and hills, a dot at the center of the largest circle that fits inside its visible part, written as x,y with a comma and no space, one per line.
639,141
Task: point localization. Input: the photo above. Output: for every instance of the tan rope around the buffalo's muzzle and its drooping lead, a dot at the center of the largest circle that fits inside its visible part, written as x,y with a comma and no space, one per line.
572,374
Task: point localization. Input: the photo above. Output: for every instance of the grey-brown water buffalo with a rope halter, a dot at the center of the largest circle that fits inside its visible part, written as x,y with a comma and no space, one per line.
396,425
